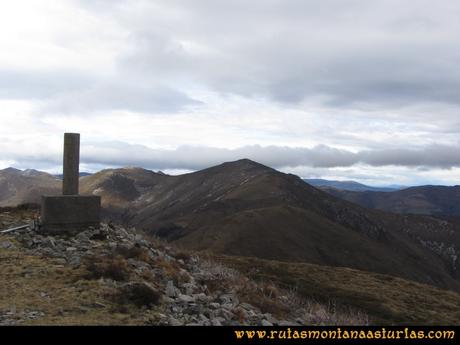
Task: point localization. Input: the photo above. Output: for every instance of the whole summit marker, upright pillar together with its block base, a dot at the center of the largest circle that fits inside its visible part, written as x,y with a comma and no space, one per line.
70,212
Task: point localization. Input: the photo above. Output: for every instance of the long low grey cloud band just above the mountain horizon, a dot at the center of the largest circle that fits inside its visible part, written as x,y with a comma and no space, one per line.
195,158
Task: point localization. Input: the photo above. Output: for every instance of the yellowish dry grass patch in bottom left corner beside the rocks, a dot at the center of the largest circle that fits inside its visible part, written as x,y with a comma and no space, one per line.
31,283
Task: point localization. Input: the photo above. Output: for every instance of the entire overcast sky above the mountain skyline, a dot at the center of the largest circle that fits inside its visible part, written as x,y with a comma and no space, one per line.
338,89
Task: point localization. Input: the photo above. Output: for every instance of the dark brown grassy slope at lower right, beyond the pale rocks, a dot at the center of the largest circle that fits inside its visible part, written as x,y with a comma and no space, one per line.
387,299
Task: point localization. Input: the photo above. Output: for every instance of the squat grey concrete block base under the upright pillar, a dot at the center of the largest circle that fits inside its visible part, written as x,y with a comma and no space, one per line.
69,213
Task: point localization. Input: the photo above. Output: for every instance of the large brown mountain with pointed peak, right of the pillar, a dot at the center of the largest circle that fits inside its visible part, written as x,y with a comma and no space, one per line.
243,208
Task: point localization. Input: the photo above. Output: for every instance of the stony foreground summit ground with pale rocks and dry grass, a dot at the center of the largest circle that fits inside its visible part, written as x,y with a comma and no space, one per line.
117,276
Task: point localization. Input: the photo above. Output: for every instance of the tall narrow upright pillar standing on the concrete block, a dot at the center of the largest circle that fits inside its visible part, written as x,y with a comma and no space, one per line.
71,163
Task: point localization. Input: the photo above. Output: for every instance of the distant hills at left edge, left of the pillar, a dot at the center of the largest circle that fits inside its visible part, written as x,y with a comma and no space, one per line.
17,186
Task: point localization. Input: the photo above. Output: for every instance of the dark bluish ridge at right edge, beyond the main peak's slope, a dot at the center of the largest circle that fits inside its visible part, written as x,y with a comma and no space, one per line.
430,200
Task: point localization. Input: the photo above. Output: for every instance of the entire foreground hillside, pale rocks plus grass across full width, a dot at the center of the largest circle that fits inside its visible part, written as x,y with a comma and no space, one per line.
117,276
